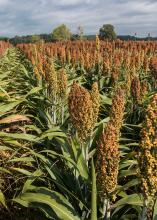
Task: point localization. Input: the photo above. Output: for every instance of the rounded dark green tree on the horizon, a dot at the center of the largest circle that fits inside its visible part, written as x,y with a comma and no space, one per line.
107,32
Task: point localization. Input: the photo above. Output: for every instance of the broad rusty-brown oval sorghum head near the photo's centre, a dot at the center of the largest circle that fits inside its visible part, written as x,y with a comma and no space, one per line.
81,110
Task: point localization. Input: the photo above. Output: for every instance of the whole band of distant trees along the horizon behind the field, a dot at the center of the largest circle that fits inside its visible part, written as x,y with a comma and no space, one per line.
63,33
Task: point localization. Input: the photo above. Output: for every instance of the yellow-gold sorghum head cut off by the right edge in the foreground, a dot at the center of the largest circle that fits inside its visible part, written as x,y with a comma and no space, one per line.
148,151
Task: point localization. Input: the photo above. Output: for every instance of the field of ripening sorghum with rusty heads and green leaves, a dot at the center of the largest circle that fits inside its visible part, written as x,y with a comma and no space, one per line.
78,130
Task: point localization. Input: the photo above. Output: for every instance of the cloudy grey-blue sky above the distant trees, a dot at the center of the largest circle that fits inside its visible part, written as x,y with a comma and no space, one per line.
22,17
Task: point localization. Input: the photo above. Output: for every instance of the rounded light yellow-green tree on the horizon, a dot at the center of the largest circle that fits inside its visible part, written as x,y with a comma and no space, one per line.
62,32
